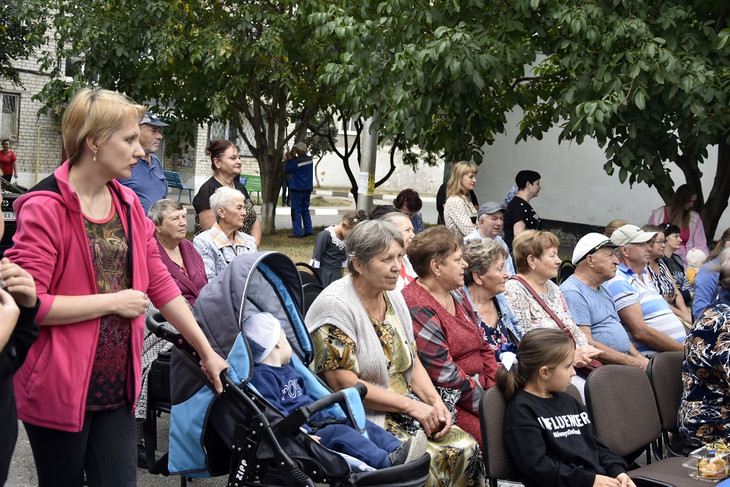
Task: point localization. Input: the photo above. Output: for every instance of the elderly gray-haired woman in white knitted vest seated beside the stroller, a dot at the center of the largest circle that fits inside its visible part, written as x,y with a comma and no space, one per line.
362,332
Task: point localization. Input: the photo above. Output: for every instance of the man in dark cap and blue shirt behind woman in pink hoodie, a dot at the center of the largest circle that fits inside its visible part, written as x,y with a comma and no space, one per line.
148,178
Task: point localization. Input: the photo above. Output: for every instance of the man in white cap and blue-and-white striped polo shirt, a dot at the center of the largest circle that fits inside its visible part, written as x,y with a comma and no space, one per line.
652,325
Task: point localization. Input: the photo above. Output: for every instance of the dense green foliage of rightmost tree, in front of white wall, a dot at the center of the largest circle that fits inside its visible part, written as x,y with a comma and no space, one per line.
647,79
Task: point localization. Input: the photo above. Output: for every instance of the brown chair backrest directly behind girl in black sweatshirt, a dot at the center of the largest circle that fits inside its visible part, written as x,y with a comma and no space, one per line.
497,460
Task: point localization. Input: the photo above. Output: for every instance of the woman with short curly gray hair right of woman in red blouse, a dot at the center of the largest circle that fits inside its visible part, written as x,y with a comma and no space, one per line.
484,280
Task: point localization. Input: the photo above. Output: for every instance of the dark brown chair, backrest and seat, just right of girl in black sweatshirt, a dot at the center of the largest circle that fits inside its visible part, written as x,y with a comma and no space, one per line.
623,409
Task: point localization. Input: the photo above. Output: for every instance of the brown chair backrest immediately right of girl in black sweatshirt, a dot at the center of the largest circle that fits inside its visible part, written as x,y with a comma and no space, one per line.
621,404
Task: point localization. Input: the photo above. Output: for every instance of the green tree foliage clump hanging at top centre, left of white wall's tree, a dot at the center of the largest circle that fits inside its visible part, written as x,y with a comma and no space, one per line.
438,74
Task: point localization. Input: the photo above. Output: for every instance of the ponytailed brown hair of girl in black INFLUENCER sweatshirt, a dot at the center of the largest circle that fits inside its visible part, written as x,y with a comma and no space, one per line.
540,347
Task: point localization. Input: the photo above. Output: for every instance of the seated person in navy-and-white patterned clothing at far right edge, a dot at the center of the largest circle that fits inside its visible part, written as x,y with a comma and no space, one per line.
703,411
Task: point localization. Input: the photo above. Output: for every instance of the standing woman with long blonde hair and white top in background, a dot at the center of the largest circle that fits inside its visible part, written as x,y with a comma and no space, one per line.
460,215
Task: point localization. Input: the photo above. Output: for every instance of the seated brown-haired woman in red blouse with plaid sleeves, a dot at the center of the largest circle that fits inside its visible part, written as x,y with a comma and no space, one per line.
450,343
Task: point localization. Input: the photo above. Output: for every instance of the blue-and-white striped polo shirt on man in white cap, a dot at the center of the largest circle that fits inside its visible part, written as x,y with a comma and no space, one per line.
627,289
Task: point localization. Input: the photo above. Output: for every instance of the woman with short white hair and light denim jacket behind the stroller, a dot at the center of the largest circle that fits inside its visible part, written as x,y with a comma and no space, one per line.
224,241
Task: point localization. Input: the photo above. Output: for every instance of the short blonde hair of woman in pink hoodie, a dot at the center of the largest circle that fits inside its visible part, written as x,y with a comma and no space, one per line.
97,114
